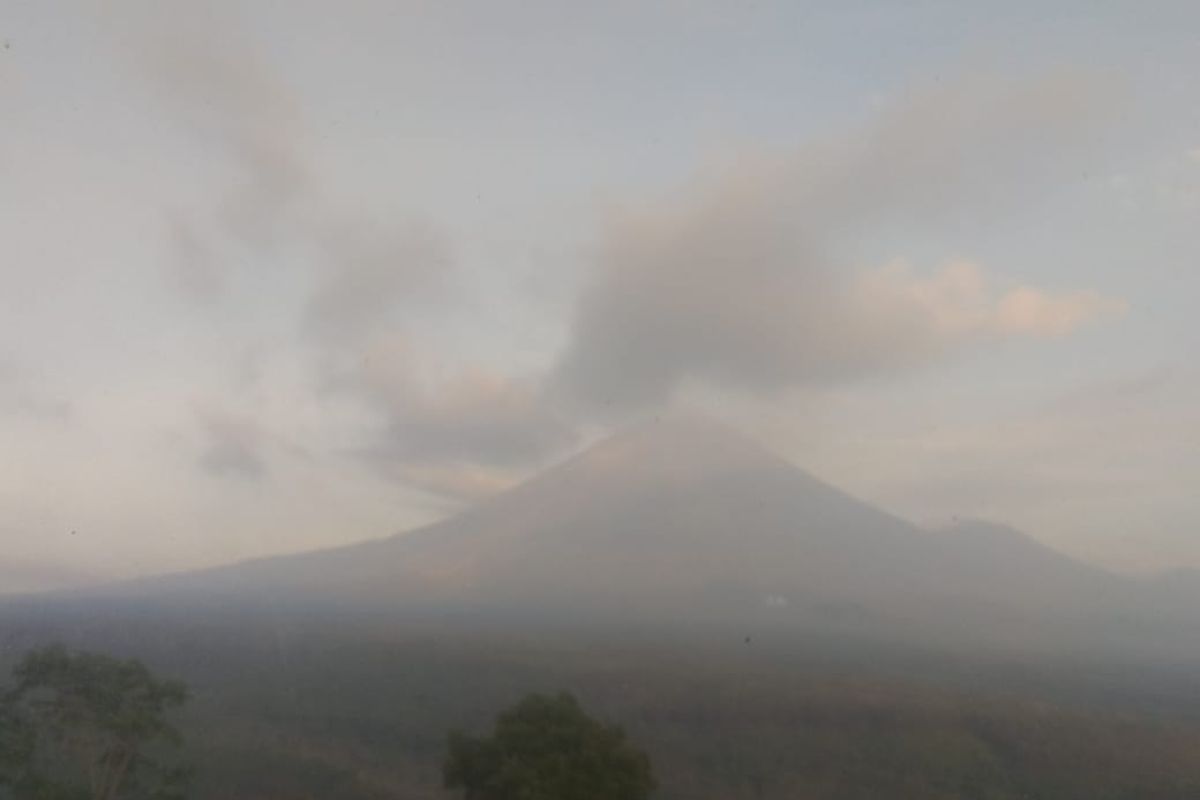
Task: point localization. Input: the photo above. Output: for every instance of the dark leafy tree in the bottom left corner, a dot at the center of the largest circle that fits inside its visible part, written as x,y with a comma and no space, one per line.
83,725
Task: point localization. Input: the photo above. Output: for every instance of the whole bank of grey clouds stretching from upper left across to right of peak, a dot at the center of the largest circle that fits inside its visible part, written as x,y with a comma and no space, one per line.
743,279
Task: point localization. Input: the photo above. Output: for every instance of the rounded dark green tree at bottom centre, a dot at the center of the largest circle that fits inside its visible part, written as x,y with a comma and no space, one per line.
548,749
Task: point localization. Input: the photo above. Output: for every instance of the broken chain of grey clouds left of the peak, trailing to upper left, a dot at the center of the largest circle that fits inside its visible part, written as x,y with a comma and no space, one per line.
367,272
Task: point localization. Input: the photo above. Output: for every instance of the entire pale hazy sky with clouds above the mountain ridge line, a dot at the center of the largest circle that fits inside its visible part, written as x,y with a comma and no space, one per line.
283,275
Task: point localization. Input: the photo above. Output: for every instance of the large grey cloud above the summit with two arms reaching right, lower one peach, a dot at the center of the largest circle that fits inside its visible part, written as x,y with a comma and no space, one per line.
739,281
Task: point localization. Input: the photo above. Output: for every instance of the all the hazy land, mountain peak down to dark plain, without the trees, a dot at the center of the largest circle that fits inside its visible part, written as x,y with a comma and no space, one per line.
763,633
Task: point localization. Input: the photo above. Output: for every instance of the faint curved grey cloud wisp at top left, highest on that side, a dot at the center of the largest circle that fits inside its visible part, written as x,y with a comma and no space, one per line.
213,86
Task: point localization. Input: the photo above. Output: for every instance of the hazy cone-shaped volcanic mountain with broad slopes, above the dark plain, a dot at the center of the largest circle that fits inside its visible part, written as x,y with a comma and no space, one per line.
683,520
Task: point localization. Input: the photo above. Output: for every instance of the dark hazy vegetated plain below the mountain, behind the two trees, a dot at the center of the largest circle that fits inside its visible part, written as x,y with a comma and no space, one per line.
281,712
